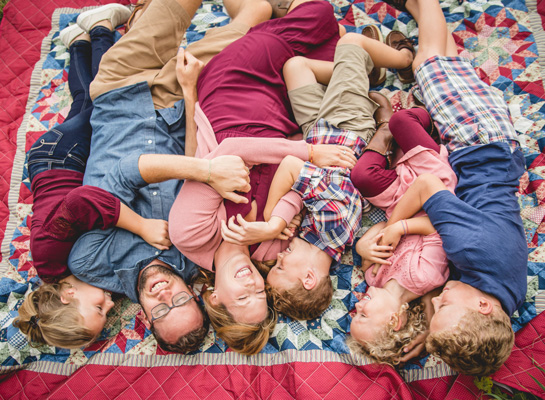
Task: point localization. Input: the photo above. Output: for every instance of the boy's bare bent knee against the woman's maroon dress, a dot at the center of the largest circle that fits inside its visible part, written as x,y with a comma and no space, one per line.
301,71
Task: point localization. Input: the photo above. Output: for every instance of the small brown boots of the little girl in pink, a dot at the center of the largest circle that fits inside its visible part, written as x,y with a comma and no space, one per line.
383,141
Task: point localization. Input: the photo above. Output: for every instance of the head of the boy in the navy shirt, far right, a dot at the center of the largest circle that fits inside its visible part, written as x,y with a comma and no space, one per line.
469,330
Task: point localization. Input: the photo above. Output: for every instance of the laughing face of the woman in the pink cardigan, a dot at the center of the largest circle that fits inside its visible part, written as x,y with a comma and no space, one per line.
241,289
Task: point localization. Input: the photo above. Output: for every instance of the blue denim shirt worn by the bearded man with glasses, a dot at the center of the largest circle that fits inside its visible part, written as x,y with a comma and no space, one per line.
126,125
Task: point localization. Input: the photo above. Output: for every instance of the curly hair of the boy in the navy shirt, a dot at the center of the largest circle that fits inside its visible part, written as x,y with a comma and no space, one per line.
478,346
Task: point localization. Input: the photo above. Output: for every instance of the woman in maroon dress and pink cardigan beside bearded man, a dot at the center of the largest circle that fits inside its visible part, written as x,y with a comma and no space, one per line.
244,110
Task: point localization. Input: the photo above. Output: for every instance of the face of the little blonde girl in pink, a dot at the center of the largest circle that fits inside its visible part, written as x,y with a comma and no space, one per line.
373,314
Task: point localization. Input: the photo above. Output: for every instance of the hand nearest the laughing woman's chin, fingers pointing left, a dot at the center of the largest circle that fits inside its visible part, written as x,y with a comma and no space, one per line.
247,233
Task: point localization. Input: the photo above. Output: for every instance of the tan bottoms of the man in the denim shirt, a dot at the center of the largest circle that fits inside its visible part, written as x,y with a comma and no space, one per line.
148,52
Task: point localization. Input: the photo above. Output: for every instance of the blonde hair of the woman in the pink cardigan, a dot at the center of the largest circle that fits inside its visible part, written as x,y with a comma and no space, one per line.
247,339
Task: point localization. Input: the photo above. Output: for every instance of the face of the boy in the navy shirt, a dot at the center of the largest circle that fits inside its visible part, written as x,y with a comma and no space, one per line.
456,299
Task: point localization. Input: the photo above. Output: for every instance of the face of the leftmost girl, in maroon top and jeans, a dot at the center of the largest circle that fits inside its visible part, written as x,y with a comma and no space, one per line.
93,303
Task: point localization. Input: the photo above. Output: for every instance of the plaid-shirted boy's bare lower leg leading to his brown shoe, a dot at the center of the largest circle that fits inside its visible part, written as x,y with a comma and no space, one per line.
383,56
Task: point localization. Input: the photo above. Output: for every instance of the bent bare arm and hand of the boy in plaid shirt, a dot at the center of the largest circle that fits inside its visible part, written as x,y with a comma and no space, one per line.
248,233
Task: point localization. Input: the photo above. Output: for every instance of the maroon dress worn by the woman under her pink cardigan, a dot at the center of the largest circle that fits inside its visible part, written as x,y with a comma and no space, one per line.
242,89
